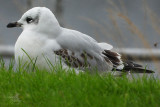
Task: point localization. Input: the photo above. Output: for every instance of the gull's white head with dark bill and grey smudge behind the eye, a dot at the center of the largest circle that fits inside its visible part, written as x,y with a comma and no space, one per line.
38,19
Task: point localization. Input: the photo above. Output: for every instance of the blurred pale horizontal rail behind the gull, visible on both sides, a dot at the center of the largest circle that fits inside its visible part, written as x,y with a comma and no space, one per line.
130,53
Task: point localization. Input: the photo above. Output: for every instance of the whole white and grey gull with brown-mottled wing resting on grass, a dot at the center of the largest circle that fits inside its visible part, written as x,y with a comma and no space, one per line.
44,41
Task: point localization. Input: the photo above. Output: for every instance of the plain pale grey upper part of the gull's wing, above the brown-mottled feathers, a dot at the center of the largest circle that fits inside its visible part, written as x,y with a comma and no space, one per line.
79,42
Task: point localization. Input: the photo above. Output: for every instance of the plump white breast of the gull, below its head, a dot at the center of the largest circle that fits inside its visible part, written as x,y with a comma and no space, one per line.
34,47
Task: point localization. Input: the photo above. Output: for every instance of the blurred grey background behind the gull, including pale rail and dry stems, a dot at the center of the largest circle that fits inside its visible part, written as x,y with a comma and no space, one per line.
131,26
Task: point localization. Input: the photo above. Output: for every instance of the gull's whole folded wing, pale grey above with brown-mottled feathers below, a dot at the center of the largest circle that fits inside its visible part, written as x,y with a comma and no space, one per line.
80,50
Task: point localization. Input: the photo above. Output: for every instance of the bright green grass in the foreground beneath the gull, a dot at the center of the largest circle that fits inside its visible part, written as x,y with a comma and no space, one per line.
67,89
